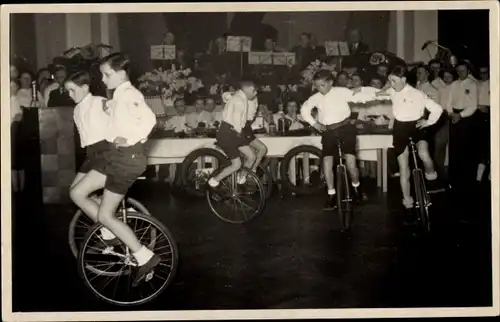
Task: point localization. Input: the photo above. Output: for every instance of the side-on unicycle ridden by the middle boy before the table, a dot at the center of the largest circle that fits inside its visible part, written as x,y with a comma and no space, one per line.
237,203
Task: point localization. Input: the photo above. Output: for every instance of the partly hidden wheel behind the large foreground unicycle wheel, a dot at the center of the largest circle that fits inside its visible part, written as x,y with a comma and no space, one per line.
75,238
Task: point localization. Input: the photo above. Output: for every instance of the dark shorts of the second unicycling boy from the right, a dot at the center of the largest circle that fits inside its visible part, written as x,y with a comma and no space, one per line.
346,133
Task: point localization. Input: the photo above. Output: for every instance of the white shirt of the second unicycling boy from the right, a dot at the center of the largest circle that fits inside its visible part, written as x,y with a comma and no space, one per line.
332,107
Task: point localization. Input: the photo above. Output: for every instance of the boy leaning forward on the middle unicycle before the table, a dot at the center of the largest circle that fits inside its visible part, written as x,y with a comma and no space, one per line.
231,137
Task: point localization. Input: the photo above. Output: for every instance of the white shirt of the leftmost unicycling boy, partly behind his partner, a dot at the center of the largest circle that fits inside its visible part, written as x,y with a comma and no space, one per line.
91,120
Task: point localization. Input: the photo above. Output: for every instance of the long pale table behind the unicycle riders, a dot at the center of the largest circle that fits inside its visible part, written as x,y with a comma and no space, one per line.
175,150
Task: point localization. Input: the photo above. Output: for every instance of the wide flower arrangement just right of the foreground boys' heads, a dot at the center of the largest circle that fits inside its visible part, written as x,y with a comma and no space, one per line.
169,83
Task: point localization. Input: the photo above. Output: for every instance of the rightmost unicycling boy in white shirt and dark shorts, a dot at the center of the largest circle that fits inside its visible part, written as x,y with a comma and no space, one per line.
409,105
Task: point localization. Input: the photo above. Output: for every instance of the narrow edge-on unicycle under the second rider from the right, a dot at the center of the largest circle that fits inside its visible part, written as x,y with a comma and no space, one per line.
344,197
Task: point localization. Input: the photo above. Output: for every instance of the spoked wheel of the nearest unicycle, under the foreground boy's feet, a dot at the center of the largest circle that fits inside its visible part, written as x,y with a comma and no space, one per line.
126,274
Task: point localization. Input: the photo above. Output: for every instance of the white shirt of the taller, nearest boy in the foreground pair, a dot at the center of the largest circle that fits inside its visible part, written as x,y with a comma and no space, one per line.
131,117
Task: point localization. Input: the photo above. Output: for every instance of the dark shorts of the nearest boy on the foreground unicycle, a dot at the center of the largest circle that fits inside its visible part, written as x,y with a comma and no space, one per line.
122,167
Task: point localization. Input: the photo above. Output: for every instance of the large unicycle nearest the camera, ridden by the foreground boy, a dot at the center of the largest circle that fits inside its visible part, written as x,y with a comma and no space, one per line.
107,271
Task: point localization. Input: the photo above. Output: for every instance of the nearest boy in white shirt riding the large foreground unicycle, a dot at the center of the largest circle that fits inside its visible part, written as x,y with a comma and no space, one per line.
131,121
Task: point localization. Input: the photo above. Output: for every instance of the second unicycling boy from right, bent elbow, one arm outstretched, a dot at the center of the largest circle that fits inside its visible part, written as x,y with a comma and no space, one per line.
334,124
